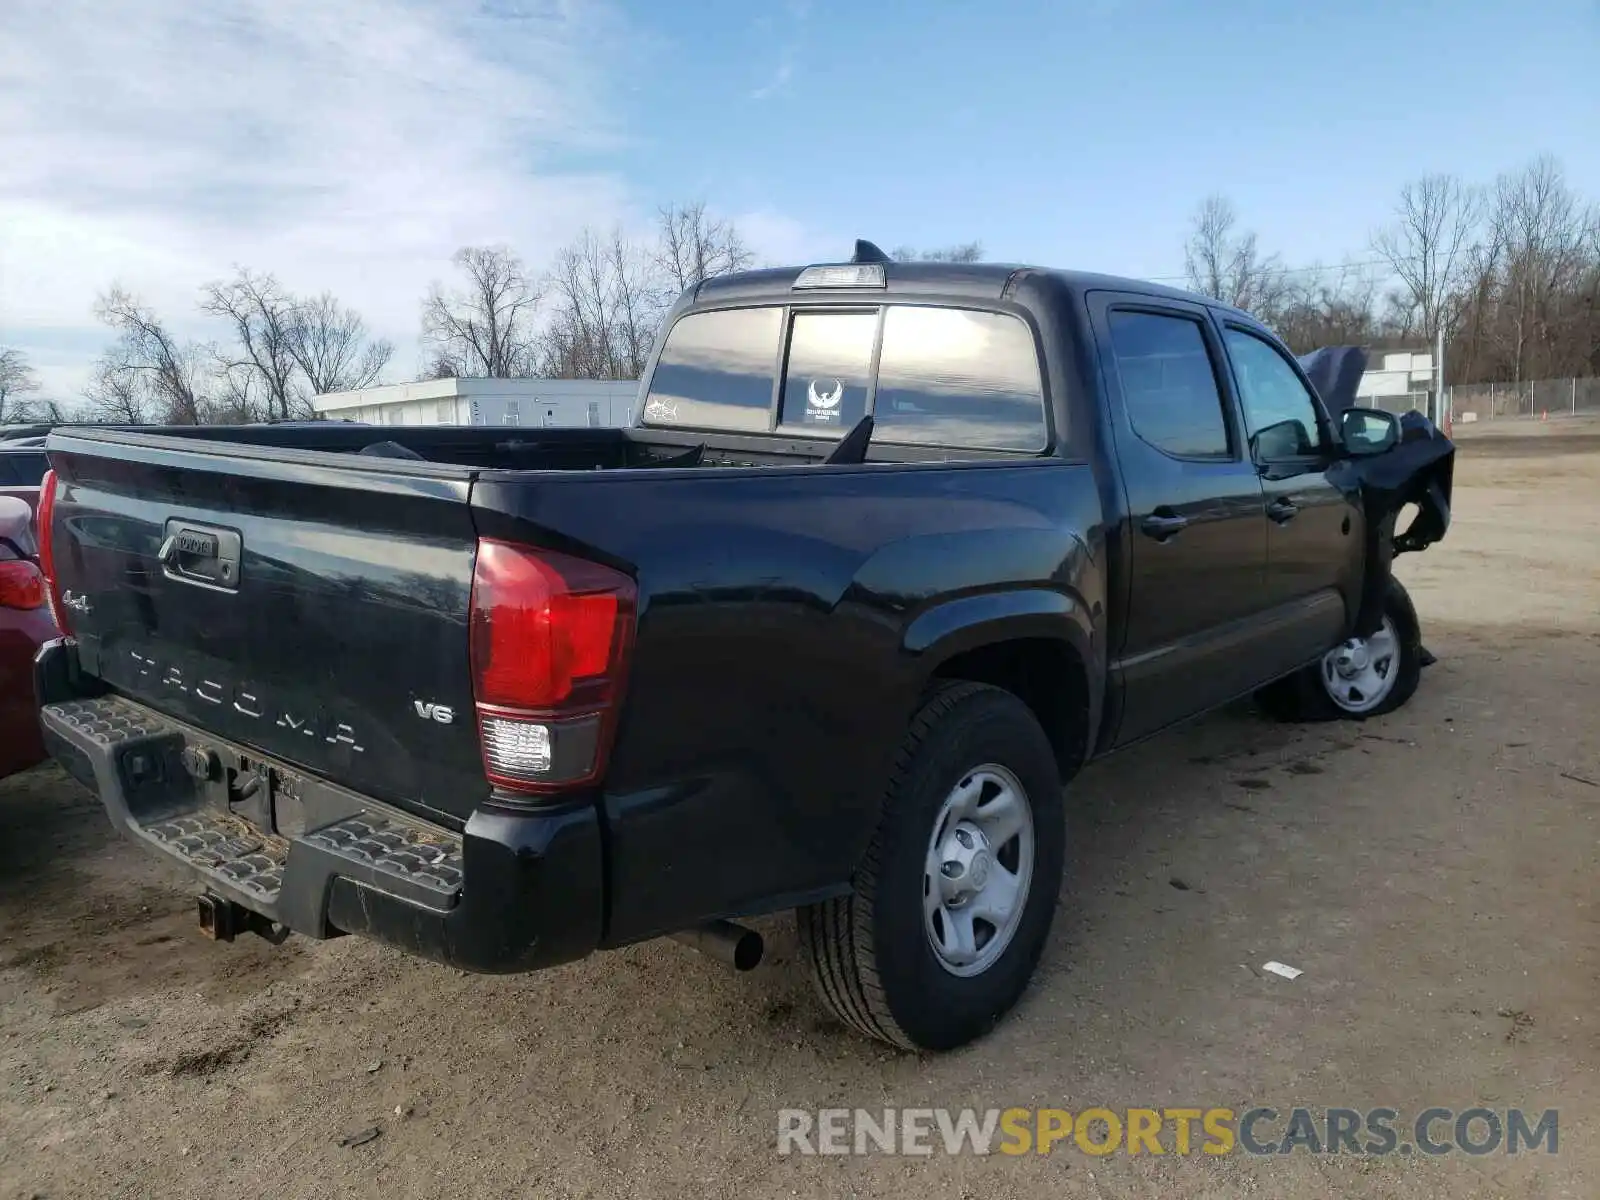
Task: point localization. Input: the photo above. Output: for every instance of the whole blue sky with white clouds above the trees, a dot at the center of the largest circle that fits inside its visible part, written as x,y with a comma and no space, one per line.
354,145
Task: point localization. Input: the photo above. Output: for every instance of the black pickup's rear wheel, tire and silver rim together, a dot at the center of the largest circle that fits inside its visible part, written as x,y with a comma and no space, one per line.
954,897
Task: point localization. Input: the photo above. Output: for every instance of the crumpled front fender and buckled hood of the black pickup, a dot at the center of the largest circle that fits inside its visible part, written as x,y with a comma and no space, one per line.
1417,471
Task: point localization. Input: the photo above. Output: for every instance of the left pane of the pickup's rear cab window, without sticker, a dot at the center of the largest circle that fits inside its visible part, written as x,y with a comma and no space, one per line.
716,370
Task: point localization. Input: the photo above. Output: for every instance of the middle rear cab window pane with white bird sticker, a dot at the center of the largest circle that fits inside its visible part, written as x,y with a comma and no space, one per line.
830,370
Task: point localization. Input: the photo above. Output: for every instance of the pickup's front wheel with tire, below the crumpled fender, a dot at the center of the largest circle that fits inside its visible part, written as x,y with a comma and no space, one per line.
1358,679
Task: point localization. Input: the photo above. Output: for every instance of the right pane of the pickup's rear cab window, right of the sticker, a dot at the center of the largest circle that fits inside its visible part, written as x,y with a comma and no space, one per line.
959,378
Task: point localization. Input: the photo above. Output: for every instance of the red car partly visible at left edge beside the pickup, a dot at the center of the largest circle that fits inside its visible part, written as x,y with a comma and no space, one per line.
25,625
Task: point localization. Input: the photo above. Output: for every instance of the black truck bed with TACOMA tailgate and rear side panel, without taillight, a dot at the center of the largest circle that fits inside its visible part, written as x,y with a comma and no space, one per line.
338,655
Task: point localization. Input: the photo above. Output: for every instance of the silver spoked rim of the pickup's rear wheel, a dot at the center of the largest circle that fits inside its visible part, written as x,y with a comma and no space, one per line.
978,871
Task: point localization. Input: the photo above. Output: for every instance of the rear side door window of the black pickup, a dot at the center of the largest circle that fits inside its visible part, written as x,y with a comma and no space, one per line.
1169,385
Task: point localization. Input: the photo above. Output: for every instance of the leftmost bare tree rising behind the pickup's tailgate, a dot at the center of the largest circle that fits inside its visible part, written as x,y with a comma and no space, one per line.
146,370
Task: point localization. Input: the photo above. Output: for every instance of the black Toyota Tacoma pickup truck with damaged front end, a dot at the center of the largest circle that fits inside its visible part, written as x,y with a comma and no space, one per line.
890,553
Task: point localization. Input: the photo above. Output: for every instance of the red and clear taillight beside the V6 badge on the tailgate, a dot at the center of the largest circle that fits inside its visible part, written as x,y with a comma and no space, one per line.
550,639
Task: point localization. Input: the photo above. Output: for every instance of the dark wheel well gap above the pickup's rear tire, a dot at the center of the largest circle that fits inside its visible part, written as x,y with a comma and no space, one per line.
1049,678
